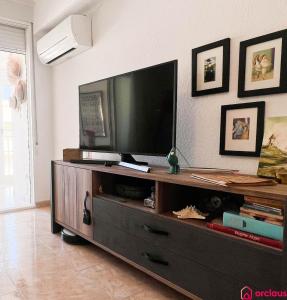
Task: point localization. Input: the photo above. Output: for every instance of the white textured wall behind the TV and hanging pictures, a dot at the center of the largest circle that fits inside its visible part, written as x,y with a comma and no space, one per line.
131,34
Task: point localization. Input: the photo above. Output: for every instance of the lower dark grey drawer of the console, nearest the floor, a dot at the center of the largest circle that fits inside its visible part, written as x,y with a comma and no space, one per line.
185,273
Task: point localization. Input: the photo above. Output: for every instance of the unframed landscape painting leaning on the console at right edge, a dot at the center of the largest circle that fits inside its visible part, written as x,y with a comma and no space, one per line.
273,158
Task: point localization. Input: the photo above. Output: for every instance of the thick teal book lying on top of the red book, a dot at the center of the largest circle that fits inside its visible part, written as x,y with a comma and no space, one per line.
236,221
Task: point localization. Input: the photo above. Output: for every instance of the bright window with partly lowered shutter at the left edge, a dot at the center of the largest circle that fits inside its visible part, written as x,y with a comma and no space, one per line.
15,150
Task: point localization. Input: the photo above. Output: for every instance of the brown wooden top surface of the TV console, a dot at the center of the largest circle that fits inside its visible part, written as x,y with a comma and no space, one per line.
277,192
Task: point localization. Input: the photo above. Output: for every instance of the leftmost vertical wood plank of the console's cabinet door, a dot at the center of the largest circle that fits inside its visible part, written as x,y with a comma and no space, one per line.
59,193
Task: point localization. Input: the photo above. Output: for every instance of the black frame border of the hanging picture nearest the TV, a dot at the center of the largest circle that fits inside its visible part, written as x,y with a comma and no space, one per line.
225,68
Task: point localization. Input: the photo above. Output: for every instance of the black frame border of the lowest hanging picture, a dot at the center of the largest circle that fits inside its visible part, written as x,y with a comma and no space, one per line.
260,105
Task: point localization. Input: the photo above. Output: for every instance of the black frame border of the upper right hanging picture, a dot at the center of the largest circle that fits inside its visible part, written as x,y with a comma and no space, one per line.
242,65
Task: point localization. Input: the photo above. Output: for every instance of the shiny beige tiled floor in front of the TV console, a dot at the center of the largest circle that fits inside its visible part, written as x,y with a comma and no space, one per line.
35,264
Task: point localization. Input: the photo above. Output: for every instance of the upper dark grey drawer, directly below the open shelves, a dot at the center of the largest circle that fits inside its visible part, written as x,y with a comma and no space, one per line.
221,253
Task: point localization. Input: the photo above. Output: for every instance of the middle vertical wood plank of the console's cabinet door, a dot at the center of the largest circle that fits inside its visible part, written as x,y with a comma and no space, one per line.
70,196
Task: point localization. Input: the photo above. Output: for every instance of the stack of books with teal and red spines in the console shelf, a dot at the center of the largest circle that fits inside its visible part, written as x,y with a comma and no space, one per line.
257,222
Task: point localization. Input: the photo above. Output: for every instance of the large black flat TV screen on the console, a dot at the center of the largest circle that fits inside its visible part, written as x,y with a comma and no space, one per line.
132,113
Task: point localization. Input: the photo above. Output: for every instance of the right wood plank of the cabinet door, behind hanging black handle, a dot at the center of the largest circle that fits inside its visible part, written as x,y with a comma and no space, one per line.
84,186
